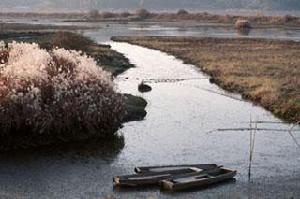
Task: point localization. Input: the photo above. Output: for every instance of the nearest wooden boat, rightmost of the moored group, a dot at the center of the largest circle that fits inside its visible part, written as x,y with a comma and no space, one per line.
198,180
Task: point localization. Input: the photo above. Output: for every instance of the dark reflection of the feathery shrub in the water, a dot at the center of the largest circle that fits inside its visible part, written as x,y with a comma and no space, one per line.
107,150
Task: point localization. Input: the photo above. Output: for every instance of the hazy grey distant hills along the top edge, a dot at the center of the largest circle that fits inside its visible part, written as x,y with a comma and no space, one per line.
73,5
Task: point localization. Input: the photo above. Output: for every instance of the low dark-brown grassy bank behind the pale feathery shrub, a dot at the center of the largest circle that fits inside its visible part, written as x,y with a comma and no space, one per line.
109,59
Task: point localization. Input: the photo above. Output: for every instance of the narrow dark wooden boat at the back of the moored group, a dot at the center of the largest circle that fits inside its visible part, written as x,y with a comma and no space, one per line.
175,169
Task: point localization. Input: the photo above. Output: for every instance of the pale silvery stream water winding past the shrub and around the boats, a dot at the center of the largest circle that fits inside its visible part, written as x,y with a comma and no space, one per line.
184,109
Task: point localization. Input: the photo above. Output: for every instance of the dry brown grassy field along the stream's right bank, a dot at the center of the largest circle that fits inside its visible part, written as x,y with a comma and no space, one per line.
264,71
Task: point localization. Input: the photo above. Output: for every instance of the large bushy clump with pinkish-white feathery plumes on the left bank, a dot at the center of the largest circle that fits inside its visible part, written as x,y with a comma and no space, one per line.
57,95
